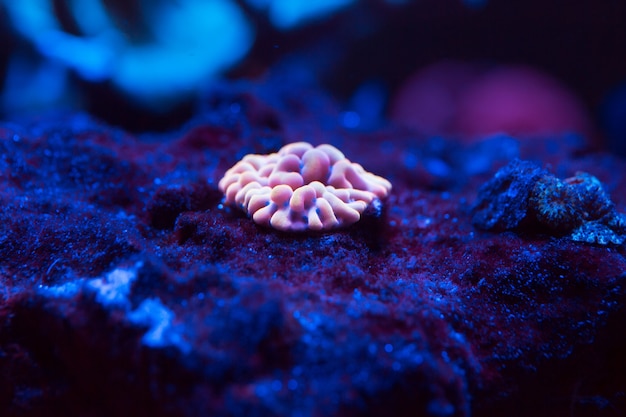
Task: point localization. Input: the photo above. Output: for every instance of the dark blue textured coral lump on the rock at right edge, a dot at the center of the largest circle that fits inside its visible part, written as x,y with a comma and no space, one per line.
522,193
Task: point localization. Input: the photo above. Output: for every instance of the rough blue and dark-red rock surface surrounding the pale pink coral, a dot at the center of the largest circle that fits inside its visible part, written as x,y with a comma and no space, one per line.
129,289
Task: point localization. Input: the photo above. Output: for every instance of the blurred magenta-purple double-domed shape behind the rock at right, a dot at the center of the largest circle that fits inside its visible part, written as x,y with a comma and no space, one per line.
461,99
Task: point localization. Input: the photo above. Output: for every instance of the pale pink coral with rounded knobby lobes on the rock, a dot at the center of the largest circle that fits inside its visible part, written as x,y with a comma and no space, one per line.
302,187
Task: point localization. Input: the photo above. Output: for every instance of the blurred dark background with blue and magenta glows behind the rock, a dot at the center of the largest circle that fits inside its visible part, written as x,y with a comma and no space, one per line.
463,68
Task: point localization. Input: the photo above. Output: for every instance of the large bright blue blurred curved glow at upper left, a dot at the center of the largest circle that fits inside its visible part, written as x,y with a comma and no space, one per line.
193,41
